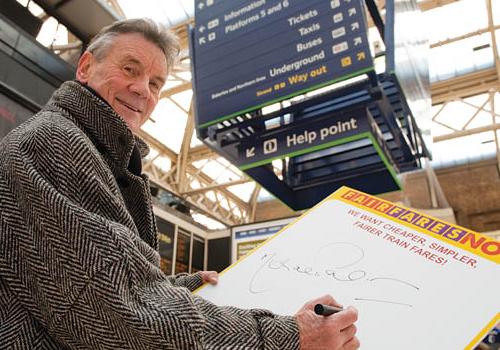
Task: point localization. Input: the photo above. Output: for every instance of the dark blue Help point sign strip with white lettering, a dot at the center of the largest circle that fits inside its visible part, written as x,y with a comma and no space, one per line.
303,138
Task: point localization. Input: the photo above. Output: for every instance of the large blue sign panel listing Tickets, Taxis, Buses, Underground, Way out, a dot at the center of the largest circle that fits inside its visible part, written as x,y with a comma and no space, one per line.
248,54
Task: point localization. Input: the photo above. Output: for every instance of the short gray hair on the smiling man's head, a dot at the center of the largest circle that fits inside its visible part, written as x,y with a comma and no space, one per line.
155,32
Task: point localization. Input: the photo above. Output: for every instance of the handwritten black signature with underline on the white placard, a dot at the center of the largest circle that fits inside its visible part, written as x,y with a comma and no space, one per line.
337,261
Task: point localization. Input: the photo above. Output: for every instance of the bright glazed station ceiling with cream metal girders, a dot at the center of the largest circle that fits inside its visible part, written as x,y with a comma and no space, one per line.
464,63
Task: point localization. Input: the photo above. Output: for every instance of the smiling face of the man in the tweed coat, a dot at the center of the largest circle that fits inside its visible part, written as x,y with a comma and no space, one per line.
129,77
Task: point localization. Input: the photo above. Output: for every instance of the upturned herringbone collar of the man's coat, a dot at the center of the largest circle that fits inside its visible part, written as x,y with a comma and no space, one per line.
107,130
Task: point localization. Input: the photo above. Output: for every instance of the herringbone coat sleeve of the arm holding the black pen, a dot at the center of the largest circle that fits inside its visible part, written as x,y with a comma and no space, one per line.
85,277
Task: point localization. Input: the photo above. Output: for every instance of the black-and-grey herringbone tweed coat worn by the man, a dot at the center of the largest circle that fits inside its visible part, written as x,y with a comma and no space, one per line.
79,267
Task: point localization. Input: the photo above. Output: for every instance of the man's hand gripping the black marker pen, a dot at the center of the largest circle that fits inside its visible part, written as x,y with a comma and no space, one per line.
334,332
